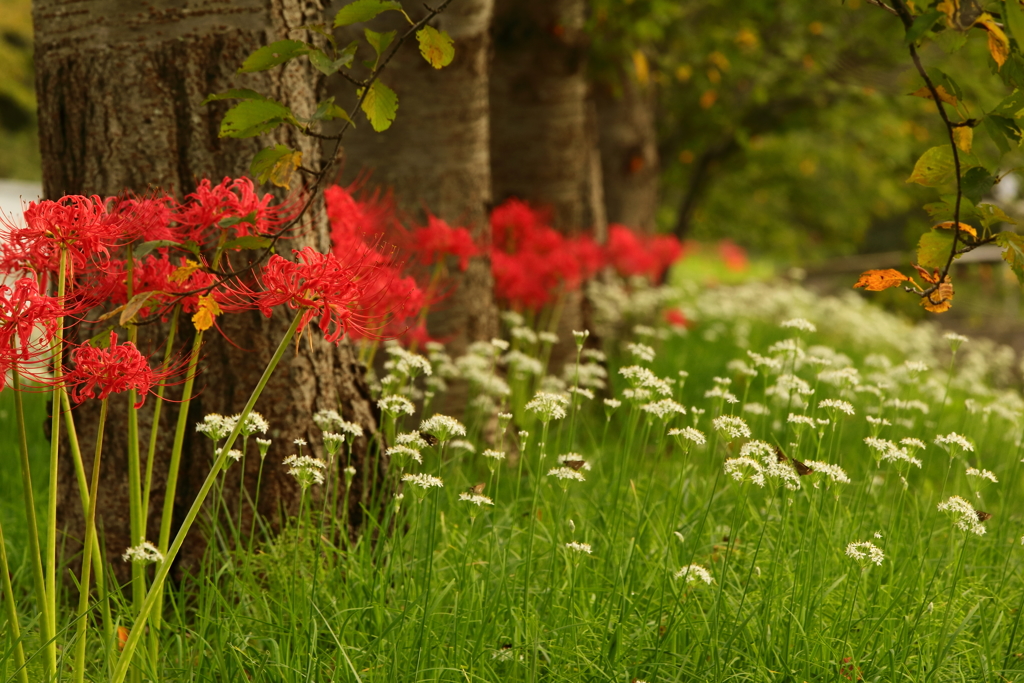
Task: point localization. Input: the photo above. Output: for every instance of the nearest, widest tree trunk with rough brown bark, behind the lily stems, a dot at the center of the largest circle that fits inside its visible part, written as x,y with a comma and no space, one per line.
120,96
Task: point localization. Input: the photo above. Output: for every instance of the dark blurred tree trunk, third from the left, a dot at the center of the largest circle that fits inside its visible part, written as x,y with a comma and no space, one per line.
543,131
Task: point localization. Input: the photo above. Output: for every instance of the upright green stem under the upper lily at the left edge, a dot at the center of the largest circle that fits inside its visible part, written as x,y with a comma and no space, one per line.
51,607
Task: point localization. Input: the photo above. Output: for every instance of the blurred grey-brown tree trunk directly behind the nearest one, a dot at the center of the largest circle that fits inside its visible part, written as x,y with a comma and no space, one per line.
436,156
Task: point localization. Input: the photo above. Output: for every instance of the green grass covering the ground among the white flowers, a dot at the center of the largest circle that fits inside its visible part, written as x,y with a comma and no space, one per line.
442,590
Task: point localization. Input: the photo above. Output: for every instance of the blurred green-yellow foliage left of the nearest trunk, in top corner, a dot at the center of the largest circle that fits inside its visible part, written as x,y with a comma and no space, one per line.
19,126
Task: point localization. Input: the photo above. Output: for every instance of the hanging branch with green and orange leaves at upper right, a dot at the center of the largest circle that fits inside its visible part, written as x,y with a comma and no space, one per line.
963,222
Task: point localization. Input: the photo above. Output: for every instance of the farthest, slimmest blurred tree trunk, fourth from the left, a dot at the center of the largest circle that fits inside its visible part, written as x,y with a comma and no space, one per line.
629,152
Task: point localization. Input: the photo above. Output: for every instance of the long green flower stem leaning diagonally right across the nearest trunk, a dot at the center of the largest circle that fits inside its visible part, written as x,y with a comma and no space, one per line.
154,596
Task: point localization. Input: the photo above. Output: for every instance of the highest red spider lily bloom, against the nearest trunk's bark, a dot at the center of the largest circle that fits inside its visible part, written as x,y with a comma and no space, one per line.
200,216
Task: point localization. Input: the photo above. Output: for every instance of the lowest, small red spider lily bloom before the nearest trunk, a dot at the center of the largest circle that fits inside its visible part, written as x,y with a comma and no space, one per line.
102,372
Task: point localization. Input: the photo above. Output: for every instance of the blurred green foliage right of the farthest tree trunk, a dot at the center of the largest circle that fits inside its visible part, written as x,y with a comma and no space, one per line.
789,123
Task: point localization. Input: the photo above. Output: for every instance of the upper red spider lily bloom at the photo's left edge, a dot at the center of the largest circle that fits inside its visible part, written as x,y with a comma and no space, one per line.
83,226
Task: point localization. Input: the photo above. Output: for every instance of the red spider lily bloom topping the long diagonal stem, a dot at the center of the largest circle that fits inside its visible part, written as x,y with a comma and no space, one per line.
321,285
